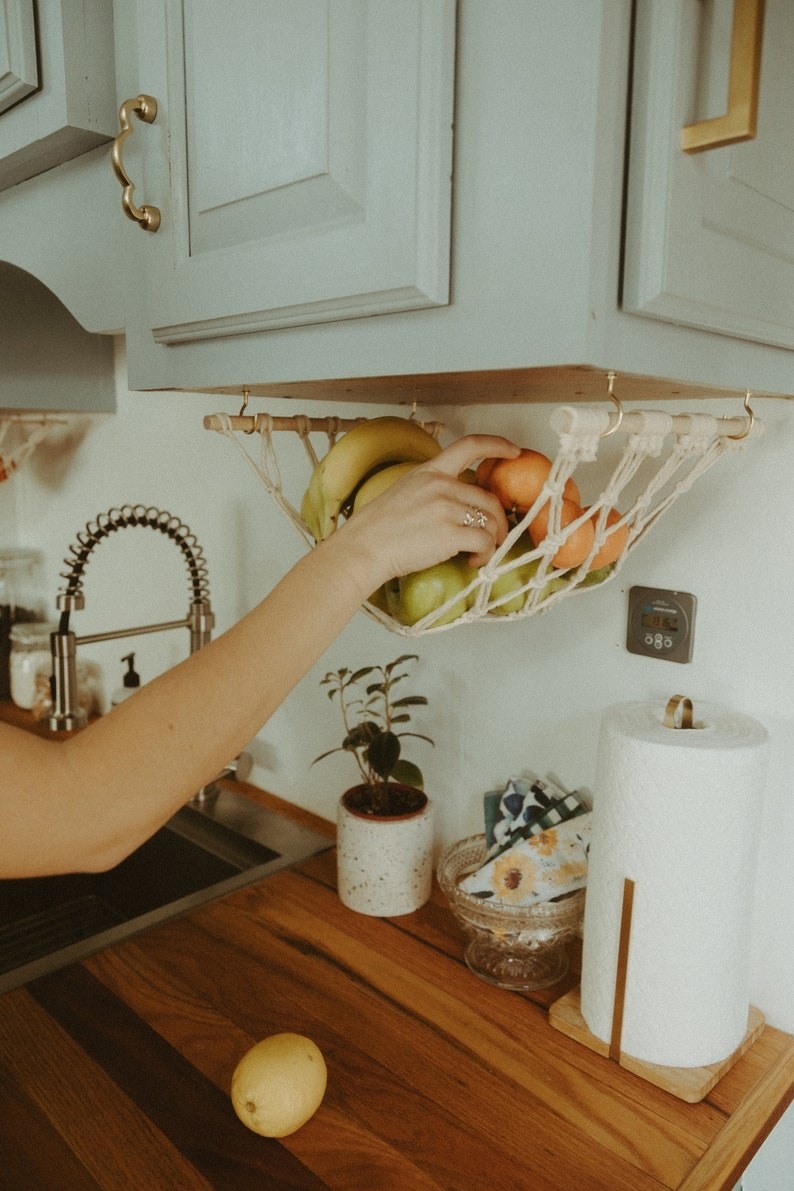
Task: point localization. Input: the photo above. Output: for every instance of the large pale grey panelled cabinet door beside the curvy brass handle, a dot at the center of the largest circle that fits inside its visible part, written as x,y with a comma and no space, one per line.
309,148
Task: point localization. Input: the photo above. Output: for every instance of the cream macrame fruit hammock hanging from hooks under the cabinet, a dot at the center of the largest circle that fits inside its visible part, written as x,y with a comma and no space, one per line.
661,459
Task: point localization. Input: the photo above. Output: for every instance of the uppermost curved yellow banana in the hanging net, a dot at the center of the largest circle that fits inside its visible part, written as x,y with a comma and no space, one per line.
370,446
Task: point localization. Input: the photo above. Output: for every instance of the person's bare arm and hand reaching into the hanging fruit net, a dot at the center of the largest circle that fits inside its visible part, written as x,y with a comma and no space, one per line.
89,802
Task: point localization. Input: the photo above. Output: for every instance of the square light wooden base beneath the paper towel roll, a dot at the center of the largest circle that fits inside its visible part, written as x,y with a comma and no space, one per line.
689,1084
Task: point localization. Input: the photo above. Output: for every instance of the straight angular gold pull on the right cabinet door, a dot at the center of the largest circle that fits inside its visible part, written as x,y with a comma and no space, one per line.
740,122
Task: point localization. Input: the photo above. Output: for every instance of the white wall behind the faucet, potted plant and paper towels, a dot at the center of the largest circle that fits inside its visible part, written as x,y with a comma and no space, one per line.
503,697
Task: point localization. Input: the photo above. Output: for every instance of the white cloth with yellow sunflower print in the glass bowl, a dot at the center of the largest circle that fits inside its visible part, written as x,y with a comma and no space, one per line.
537,870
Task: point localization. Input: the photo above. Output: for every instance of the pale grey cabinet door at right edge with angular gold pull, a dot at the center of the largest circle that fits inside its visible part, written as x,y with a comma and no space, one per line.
710,236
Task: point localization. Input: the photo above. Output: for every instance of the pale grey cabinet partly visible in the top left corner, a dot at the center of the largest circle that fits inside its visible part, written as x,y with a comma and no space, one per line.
58,96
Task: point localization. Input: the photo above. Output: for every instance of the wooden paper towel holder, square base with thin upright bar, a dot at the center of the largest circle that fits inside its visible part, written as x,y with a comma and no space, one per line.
691,1084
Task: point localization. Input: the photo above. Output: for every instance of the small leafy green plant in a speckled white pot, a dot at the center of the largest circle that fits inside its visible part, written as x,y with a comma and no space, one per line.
385,824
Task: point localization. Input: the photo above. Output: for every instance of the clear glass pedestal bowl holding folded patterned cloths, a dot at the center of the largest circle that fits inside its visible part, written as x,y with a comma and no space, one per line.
520,947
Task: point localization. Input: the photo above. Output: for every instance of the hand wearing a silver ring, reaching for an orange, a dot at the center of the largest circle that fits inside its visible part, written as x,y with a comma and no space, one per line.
422,519
